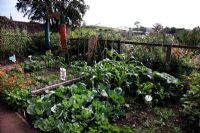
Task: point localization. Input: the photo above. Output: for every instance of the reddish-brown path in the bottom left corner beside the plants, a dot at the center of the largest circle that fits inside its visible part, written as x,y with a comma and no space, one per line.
11,122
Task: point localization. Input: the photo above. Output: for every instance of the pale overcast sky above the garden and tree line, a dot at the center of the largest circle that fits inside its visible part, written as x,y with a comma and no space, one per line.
119,13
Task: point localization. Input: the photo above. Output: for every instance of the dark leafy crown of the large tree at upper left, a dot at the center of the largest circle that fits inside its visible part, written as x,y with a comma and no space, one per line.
39,10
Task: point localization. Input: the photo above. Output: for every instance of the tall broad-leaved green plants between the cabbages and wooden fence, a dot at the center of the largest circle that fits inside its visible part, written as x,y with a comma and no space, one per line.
138,81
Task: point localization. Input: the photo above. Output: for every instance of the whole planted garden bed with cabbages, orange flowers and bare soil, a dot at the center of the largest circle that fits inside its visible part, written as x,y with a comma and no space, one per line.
118,96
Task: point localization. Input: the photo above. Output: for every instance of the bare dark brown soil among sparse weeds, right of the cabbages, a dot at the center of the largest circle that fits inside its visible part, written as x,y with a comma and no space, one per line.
137,115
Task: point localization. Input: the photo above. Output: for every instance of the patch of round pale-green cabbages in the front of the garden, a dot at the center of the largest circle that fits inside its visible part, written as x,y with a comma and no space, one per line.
75,108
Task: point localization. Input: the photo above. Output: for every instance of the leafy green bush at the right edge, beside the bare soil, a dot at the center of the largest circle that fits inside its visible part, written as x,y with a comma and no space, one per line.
191,100
